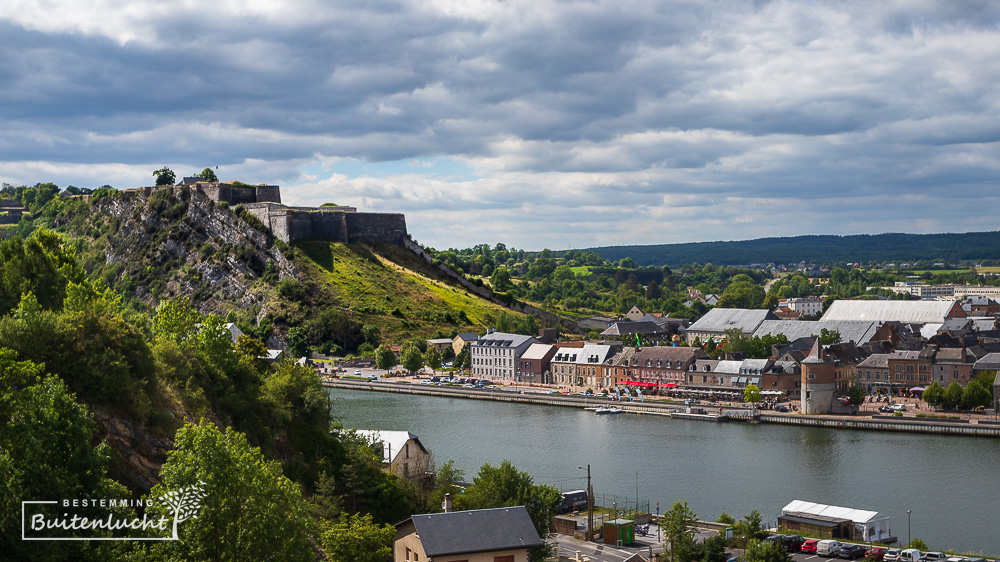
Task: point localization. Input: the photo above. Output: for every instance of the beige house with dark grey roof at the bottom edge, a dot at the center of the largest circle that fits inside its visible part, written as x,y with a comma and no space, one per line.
479,535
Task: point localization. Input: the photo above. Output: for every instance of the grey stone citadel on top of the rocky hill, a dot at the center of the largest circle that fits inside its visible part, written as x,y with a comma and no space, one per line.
337,224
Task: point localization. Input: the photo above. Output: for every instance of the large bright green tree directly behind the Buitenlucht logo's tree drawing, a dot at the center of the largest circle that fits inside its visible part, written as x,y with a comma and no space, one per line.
249,506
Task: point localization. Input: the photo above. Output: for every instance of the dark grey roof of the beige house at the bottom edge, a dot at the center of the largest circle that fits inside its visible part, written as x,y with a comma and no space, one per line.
480,530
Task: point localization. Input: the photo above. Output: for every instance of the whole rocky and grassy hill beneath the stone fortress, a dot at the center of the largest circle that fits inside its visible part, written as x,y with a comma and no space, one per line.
178,242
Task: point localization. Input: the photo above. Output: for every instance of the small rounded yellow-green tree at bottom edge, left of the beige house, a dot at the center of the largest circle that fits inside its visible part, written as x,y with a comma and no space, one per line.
357,538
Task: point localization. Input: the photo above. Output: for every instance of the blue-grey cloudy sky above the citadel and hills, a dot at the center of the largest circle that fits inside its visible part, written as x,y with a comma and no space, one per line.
534,123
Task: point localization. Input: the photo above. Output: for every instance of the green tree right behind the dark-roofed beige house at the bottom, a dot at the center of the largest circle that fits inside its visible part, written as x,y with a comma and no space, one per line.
505,486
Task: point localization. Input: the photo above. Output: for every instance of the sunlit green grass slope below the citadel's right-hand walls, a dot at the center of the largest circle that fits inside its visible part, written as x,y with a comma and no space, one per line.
392,288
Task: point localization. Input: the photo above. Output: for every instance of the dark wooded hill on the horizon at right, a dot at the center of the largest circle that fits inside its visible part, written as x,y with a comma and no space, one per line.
862,248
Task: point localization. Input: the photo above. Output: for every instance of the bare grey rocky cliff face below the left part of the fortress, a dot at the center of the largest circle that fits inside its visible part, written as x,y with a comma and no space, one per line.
178,242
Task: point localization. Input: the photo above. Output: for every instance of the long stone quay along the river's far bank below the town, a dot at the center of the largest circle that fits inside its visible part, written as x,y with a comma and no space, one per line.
873,422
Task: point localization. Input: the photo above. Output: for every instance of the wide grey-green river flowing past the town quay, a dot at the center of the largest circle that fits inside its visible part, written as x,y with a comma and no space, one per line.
947,482
